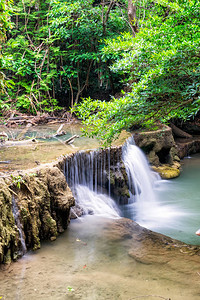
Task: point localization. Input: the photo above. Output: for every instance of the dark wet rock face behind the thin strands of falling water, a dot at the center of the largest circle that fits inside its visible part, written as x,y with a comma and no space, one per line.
105,171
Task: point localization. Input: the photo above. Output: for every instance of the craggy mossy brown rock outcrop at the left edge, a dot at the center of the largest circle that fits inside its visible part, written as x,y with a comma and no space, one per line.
43,200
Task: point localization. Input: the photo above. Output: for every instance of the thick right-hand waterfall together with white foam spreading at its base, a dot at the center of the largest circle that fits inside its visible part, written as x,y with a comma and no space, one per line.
144,207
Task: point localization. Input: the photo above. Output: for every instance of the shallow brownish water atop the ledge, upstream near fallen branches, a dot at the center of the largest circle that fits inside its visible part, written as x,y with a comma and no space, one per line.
44,150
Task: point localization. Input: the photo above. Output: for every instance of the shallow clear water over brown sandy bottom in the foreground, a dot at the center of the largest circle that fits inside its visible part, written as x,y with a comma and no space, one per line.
90,262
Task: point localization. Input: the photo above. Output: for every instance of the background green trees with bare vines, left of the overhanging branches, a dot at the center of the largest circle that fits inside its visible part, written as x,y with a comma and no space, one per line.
54,52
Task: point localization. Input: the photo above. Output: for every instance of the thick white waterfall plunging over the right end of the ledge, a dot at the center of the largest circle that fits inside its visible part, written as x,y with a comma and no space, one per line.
142,206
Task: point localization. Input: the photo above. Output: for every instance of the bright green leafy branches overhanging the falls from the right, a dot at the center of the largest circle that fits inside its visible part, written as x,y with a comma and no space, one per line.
162,66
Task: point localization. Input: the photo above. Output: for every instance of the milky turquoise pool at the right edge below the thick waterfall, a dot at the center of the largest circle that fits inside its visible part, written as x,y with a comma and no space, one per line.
182,199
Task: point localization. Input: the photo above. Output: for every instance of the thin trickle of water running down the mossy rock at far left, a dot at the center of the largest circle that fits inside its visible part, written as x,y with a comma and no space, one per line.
19,225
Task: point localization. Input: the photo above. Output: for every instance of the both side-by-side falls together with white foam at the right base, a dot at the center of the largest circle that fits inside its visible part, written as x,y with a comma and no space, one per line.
90,176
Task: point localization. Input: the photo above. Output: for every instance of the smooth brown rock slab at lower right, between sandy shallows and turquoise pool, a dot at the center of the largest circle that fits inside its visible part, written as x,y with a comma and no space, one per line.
141,243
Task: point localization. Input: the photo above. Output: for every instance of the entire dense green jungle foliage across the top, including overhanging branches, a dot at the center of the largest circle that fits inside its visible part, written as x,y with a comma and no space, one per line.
71,53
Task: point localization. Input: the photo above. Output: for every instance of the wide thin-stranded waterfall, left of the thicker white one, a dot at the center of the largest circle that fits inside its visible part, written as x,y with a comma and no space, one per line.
88,175
